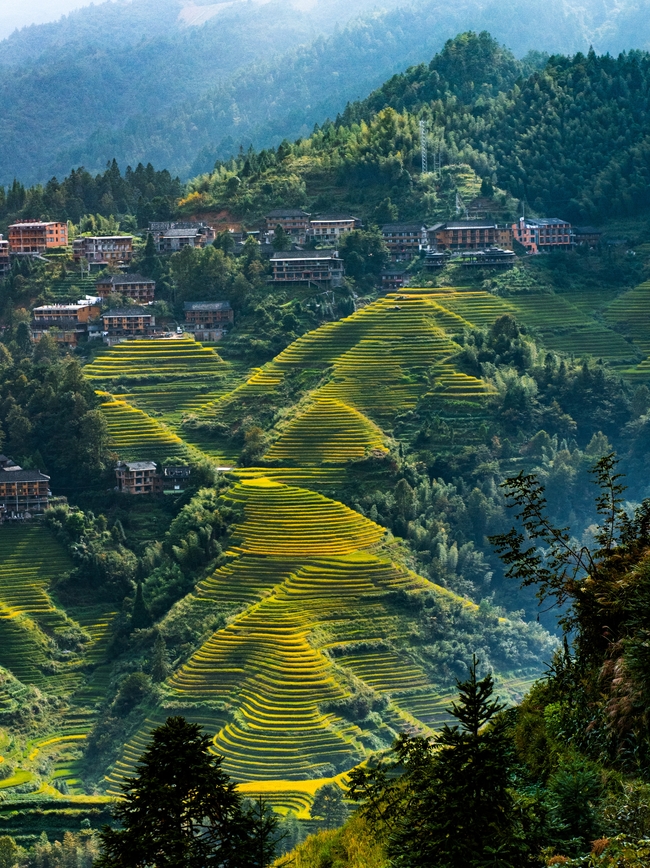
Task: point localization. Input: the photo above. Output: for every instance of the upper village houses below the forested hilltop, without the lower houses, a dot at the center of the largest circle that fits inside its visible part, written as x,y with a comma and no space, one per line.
312,258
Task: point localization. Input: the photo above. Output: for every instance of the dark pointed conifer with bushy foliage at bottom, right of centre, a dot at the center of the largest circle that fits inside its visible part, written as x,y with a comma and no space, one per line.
446,802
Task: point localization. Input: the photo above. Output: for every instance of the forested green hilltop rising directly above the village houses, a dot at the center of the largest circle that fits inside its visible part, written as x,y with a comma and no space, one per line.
566,135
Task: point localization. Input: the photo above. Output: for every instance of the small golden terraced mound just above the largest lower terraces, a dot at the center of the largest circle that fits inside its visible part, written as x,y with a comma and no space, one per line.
327,432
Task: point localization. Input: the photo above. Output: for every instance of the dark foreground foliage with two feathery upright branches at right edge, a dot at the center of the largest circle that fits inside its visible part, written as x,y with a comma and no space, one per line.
601,679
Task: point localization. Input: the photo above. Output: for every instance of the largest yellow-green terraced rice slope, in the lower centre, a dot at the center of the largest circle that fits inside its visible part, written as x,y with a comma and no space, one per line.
311,578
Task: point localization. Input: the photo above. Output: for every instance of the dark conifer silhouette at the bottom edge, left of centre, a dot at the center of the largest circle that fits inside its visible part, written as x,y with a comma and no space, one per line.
182,810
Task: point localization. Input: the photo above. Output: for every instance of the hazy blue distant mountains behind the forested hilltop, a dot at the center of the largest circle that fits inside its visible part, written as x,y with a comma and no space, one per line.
180,83
